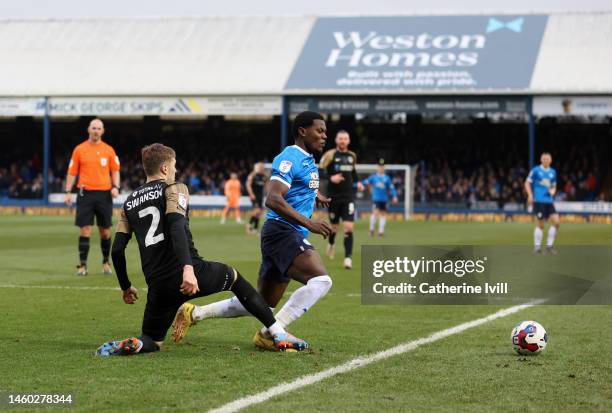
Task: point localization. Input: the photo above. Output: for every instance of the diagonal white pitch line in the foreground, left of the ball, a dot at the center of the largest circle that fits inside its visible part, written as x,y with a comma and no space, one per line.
358,362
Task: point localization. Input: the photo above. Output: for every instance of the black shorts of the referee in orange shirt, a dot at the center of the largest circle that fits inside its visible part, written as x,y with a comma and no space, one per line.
94,203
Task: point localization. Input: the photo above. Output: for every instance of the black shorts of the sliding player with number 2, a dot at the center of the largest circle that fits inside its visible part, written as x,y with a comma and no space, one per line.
164,297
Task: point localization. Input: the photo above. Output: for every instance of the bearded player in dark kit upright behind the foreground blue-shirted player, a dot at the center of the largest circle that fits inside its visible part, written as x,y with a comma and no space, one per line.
338,165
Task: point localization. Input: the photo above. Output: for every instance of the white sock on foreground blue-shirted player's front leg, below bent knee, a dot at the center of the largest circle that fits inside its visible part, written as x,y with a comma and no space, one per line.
303,299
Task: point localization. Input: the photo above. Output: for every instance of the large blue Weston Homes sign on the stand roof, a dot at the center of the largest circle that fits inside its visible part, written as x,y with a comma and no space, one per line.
442,52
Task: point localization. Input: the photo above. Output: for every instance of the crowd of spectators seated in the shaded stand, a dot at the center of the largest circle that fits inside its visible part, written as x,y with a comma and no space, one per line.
464,180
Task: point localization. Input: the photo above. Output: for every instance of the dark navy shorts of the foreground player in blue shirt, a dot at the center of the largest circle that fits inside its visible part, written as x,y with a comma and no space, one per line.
280,244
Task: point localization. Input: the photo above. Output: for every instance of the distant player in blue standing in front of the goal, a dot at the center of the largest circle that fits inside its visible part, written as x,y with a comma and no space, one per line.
380,185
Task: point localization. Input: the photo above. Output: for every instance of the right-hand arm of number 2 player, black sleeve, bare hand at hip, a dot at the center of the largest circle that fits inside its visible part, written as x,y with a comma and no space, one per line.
177,201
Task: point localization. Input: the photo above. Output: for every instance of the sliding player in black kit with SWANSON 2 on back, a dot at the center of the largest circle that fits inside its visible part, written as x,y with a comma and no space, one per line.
158,214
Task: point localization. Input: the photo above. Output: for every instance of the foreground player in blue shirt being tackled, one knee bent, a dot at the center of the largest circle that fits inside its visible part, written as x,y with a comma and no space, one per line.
286,252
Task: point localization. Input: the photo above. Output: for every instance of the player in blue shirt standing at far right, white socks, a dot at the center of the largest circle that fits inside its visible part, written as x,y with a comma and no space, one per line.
541,186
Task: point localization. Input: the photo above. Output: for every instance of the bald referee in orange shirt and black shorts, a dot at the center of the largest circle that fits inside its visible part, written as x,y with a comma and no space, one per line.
97,167
